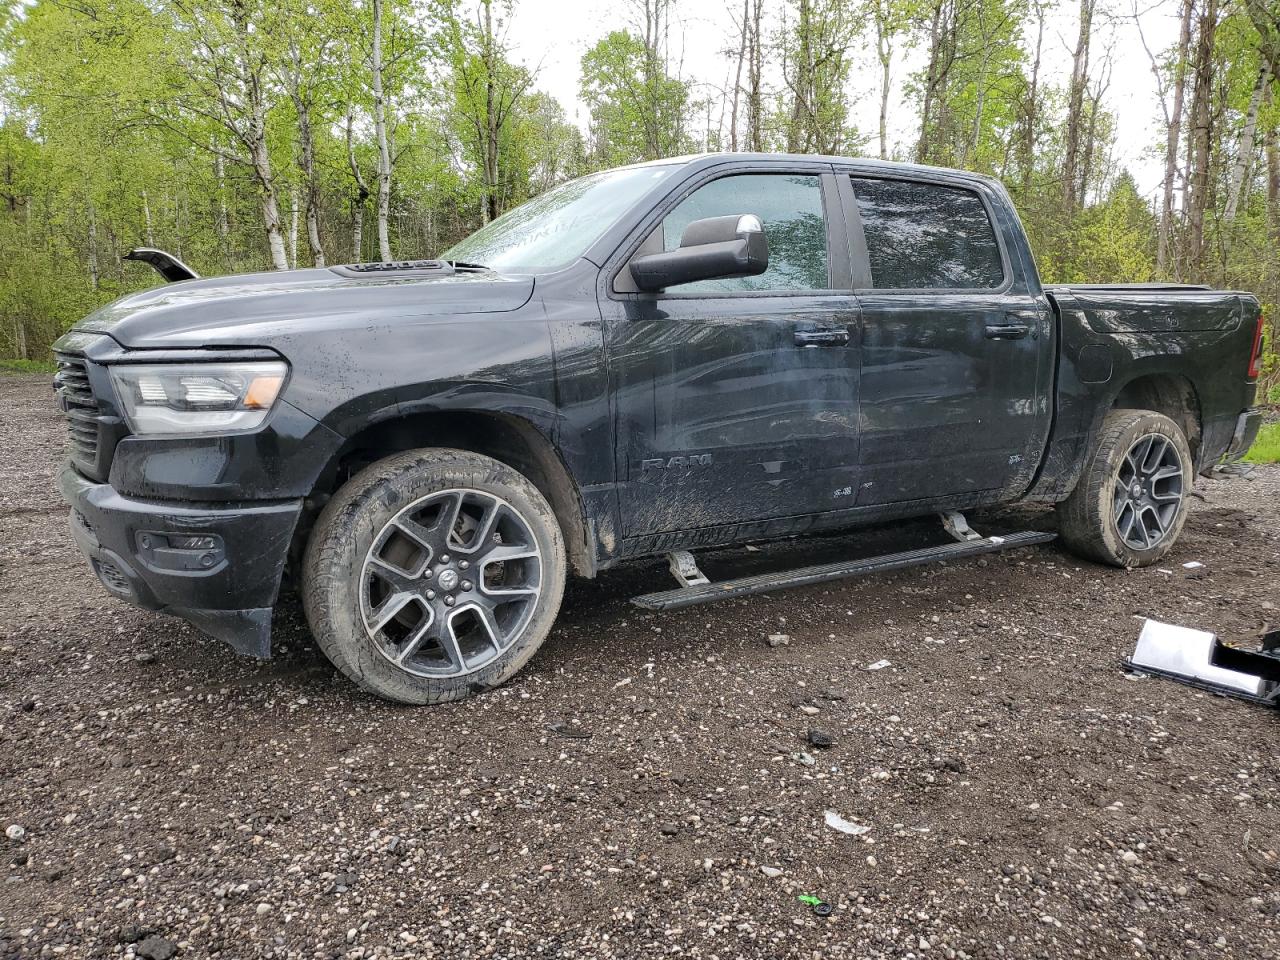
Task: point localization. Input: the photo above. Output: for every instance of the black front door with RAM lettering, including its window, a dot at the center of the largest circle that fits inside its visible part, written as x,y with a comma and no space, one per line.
737,400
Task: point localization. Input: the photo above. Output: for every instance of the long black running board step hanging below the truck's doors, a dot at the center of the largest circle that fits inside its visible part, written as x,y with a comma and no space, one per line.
842,570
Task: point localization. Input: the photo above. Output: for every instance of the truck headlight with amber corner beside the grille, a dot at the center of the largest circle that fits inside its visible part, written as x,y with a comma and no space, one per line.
198,399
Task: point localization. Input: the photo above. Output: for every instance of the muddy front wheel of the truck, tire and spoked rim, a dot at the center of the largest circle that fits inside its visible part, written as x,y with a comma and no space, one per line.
373,518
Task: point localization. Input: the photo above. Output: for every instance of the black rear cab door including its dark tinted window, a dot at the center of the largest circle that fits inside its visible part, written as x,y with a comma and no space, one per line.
957,350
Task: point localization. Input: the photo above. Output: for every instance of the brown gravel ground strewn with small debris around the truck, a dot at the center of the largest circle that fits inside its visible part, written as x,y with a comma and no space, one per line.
1023,797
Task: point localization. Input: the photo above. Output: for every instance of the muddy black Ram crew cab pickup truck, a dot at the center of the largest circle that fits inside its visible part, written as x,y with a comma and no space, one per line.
651,360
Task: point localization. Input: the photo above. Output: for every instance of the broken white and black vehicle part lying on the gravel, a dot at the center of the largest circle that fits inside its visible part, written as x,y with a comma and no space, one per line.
1199,659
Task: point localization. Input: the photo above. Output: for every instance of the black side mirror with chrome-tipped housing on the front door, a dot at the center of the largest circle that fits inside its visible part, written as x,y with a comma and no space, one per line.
714,249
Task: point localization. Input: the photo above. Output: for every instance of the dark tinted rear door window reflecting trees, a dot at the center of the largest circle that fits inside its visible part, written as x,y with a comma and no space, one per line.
927,236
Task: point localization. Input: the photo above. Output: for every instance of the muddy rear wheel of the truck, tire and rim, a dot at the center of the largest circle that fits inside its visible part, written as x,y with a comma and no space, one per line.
1118,505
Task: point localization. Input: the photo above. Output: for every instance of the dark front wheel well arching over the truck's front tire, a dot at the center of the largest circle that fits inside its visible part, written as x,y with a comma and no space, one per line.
509,440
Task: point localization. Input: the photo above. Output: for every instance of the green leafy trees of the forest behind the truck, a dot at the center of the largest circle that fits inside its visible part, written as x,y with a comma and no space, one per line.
132,124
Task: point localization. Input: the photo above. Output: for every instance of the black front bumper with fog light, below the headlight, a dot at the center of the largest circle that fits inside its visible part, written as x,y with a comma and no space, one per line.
143,552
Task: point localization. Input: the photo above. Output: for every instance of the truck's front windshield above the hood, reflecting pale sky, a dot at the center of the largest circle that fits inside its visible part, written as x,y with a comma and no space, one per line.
556,228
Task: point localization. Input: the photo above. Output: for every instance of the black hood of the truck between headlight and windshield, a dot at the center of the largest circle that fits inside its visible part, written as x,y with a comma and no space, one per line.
259,309
